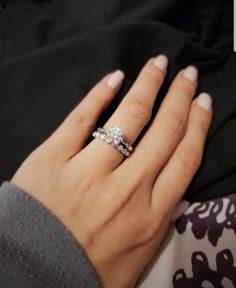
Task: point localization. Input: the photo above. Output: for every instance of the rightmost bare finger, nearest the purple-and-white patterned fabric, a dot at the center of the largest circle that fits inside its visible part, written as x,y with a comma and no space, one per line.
175,178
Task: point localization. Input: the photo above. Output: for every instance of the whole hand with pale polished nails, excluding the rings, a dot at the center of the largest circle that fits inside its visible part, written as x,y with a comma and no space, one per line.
119,210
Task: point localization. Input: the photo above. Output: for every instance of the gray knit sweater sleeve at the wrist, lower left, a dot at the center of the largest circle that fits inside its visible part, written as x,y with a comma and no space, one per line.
36,250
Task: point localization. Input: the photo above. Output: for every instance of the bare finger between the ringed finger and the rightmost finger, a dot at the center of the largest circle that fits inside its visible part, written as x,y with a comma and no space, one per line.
168,127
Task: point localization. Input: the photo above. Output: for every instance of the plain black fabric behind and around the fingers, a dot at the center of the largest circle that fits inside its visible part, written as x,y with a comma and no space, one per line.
53,52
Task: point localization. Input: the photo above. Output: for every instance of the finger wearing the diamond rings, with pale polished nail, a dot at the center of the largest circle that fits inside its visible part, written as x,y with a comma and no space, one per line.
134,111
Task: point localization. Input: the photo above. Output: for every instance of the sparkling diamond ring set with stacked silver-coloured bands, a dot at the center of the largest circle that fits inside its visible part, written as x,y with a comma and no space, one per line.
115,137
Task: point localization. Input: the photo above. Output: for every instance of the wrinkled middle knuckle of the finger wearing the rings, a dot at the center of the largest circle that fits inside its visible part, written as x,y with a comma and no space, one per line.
138,113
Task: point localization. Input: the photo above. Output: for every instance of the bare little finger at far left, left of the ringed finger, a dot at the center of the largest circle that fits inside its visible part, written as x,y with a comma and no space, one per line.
71,136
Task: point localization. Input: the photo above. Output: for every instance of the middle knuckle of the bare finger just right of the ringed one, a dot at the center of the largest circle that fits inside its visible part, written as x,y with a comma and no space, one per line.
175,125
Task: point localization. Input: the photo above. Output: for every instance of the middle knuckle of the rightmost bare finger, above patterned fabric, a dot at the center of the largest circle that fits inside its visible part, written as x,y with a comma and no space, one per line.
190,159
